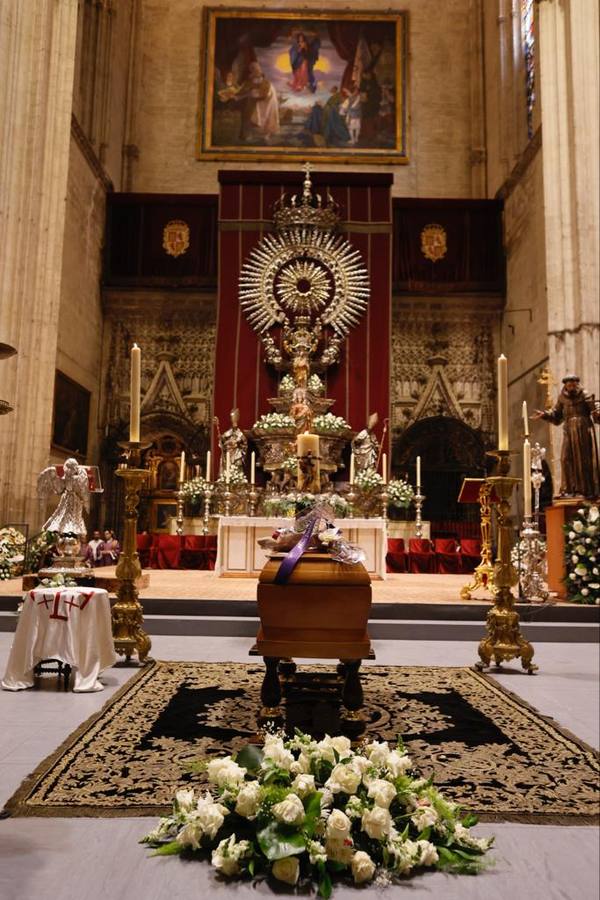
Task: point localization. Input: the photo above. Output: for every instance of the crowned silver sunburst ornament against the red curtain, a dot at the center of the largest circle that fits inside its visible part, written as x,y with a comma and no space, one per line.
306,279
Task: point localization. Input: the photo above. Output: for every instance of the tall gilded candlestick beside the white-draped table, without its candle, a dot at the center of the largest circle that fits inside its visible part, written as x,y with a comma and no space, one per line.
127,614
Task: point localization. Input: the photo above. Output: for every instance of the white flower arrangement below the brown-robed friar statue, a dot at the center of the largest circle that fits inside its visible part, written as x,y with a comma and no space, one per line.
582,555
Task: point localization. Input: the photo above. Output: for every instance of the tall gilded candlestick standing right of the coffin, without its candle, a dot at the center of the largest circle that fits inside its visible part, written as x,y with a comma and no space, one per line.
504,640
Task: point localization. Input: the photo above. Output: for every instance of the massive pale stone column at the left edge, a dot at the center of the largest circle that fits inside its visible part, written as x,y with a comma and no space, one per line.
37,52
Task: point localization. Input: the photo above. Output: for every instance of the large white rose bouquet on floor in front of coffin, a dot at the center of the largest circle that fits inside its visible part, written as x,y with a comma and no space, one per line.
303,812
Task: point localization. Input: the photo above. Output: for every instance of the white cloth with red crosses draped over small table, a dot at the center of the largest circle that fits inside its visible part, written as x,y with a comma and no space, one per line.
72,625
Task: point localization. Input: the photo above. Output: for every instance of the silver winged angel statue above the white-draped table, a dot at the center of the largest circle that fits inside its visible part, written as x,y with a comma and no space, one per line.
73,487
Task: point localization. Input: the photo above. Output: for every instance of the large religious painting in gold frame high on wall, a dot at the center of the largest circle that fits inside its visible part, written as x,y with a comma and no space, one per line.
325,86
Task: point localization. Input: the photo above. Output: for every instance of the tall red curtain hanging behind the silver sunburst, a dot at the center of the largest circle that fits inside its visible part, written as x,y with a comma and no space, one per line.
360,383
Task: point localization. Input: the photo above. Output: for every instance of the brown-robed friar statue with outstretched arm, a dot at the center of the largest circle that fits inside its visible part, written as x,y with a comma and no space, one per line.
577,411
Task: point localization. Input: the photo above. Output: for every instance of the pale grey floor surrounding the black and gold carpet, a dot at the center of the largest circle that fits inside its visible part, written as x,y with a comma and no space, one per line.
89,859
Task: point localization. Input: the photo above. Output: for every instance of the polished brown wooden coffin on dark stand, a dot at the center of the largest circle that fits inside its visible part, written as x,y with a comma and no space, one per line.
322,610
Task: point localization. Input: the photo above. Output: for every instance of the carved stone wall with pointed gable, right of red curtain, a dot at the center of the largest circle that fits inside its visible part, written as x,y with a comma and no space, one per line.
442,365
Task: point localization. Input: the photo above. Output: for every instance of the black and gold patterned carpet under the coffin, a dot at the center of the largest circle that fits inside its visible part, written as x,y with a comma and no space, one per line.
489,750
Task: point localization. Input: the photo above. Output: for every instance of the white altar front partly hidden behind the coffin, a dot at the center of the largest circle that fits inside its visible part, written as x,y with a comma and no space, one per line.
238,552
